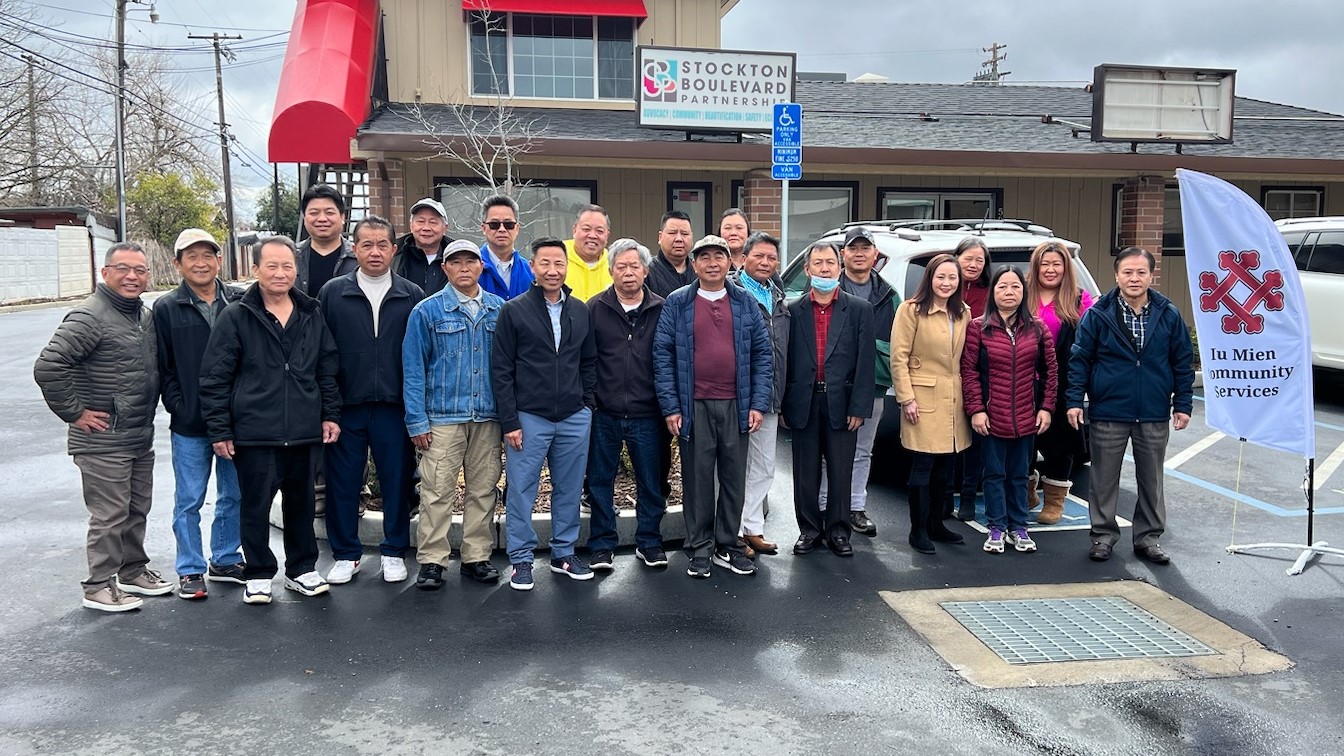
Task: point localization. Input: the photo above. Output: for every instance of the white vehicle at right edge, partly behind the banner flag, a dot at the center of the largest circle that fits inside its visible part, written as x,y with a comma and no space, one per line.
1318,248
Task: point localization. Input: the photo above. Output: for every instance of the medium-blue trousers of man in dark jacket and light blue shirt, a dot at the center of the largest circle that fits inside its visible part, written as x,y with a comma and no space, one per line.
564,446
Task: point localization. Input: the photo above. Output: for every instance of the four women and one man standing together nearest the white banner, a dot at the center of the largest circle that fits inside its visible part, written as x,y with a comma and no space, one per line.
991,368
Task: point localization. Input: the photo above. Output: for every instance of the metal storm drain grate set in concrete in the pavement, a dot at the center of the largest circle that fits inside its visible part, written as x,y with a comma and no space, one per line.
1072,630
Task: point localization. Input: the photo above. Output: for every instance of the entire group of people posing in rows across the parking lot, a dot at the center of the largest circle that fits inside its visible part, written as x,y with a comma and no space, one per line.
432,354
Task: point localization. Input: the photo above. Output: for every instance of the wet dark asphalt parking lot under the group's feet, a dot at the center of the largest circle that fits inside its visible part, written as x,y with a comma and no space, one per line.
803,657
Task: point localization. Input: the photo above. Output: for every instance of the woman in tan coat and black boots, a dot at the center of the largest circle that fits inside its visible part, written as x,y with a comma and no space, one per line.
927,341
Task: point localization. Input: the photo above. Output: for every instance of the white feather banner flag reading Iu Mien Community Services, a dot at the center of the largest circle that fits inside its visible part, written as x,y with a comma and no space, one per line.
1255,342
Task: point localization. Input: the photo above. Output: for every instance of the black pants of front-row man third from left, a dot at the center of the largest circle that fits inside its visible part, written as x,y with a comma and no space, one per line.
263,471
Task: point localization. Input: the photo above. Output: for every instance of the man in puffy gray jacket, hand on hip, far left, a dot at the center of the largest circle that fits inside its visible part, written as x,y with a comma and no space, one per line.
100,375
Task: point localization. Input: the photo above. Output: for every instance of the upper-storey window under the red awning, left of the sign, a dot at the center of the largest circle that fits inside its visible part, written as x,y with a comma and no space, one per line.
553,57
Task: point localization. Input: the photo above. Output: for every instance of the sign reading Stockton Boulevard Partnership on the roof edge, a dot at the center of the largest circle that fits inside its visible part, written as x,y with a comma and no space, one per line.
729,91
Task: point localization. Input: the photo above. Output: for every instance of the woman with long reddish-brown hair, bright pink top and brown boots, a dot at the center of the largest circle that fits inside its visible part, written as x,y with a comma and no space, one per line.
1056,299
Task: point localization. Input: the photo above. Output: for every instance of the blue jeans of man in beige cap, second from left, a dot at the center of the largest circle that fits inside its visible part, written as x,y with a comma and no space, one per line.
192,461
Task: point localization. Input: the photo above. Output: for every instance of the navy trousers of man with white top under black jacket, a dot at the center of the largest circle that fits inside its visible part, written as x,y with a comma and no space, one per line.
382,428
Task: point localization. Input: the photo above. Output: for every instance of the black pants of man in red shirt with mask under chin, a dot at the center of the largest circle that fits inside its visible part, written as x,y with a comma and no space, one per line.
812,445
